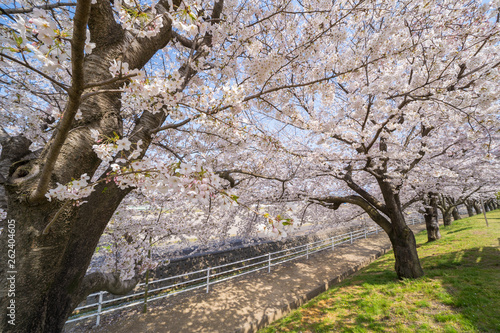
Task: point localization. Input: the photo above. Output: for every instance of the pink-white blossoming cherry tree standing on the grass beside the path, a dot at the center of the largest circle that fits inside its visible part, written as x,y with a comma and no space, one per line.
414,80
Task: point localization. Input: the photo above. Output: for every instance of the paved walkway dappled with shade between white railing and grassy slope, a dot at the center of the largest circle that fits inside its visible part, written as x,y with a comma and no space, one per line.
249,302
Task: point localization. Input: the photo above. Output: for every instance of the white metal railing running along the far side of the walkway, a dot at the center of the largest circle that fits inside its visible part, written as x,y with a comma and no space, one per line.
105,302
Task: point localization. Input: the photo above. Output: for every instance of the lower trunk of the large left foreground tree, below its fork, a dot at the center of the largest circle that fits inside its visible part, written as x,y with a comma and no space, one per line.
53,262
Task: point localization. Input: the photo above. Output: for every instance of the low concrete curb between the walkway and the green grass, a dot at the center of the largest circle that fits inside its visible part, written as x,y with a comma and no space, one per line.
264,319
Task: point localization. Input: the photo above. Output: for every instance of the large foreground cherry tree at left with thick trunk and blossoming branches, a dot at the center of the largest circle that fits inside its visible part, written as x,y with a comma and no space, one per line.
99,99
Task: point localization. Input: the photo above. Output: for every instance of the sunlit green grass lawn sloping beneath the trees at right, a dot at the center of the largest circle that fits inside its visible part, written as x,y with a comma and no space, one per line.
460,291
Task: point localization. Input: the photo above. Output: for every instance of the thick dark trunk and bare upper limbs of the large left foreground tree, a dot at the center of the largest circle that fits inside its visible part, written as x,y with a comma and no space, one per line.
49,268
